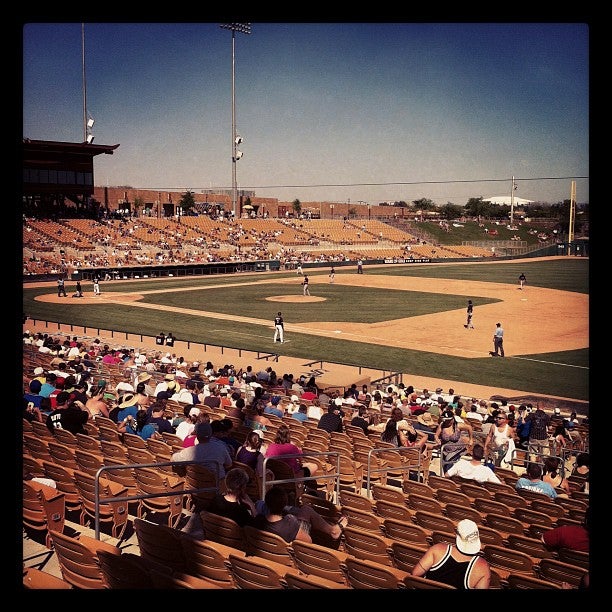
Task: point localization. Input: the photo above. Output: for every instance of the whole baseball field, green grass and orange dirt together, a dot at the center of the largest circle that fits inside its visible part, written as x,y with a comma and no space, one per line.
397,318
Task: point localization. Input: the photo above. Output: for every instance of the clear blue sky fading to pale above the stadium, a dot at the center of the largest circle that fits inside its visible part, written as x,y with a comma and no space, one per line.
365,112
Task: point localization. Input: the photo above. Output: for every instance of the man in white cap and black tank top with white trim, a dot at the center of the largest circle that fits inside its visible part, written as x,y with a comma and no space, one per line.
461,564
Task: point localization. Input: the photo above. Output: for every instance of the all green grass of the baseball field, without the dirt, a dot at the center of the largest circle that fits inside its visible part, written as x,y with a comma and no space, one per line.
546,374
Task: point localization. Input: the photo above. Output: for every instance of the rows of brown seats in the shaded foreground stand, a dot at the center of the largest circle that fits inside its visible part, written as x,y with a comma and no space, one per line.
395,506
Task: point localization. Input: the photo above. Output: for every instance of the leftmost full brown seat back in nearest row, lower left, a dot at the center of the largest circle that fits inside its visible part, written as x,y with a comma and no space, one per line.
78,560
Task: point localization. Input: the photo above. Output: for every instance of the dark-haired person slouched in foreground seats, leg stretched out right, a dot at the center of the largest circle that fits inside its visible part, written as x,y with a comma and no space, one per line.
292,522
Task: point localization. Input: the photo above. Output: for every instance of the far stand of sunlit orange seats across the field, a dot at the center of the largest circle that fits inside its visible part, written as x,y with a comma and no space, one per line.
80,243
